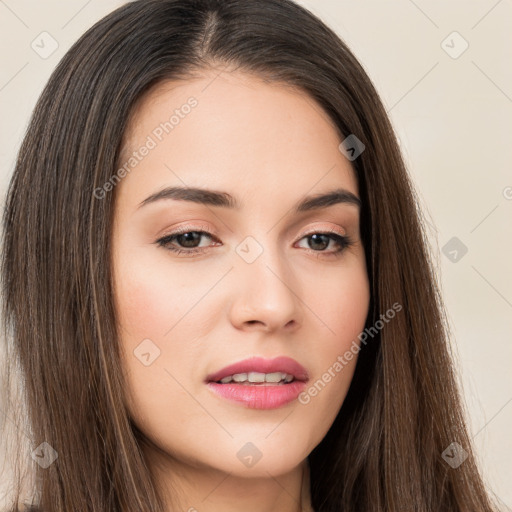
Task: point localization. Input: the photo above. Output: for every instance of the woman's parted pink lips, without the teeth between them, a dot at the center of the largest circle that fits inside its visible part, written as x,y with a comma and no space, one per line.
258,396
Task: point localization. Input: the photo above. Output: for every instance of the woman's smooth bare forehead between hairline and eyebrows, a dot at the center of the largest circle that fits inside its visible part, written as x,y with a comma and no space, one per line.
236,132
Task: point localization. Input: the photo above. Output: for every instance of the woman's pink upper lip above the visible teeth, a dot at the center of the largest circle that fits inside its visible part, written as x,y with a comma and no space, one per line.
259,364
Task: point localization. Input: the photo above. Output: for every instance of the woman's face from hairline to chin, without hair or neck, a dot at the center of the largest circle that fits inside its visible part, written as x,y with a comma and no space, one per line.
263,279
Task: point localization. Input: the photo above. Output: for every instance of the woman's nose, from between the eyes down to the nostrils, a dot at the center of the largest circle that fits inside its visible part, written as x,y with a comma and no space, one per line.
267,294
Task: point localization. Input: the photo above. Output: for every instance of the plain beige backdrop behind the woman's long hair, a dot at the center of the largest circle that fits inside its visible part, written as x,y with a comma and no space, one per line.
454,120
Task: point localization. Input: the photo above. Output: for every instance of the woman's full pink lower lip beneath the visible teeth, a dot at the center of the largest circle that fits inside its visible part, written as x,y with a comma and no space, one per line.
259,396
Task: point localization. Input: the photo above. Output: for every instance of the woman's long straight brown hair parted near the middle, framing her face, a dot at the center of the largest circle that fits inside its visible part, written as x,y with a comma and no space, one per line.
384,450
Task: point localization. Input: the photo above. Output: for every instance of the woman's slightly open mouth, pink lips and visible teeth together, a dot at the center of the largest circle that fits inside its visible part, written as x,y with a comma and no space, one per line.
259,383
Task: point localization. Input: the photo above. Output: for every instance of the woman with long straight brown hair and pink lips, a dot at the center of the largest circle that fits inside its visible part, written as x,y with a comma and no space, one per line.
298,359
